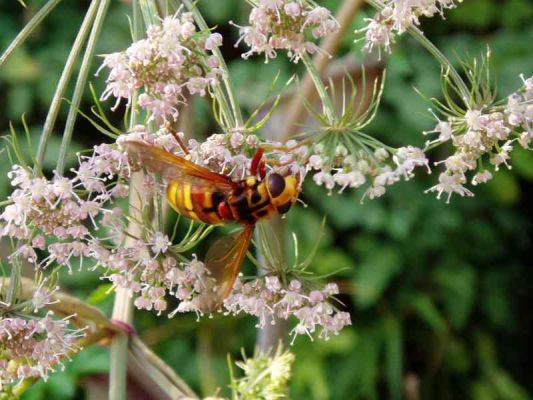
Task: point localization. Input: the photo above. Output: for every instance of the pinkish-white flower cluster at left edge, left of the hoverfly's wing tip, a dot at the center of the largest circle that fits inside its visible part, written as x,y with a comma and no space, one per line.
61,209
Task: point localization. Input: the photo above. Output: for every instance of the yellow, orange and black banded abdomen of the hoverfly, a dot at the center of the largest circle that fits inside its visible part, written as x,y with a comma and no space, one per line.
195,202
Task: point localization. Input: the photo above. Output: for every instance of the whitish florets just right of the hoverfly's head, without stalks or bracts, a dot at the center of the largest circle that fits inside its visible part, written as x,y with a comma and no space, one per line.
342,169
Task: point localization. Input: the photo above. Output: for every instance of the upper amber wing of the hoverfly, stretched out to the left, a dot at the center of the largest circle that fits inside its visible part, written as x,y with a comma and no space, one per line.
174,168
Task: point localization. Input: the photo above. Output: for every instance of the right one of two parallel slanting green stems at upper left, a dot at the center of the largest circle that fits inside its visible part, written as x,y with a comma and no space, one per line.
80,84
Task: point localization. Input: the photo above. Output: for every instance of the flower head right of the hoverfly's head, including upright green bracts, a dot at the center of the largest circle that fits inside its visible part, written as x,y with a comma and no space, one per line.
344,156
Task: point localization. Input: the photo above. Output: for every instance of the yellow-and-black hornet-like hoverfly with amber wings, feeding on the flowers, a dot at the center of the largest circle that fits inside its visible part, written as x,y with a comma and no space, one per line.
203,195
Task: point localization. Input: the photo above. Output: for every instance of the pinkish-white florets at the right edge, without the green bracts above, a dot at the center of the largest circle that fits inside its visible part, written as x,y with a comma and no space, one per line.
483,133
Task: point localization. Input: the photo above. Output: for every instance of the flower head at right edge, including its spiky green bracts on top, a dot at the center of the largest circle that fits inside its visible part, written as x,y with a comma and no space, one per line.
481,131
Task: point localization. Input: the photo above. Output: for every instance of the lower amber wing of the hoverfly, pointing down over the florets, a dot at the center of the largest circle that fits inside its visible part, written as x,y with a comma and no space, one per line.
224,259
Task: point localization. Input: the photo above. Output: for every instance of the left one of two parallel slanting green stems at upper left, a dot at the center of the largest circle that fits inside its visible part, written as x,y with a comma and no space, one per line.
55,105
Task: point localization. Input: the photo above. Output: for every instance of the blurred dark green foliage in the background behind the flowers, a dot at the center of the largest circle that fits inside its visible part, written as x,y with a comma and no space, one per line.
441,293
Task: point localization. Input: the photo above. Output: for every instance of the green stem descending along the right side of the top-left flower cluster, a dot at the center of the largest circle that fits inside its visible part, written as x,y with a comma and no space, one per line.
229,95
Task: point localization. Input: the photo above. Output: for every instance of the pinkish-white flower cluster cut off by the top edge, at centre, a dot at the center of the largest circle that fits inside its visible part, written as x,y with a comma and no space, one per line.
289,25
